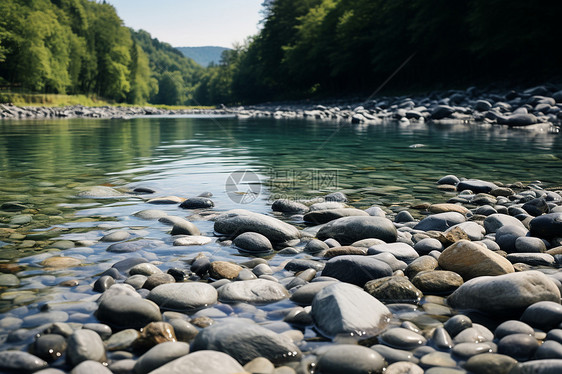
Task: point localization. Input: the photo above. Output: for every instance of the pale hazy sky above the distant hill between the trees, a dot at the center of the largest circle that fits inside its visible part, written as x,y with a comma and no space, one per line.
188,23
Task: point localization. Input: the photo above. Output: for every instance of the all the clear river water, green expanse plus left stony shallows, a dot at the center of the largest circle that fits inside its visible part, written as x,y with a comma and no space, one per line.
44,164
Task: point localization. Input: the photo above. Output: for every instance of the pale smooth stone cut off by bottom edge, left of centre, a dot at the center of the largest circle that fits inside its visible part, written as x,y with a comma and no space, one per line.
202,362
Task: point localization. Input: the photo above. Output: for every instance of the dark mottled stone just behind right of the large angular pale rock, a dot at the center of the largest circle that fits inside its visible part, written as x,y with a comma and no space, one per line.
394,289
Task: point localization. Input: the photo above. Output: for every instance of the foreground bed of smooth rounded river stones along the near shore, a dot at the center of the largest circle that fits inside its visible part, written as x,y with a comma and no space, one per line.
470,285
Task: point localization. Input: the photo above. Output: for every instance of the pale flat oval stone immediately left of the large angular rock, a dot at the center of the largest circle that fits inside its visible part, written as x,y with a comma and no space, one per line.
260,291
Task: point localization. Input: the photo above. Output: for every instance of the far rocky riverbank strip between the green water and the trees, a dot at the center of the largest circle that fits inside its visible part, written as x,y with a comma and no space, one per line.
534,108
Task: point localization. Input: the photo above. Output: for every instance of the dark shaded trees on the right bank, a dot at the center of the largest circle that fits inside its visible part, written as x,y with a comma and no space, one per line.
315,48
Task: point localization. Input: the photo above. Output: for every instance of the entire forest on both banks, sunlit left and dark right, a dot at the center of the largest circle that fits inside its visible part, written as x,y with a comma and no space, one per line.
305,49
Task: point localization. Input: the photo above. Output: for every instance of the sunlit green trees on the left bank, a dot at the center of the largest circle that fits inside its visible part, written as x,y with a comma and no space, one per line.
82,47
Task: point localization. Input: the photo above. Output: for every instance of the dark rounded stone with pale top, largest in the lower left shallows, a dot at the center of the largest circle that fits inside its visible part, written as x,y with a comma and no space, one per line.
123,311
